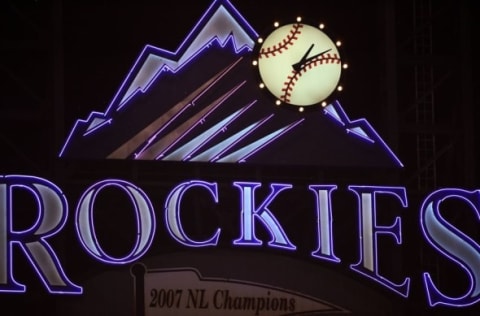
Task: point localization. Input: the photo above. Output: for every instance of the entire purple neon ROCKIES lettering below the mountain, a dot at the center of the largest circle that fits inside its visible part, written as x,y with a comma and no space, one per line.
53,213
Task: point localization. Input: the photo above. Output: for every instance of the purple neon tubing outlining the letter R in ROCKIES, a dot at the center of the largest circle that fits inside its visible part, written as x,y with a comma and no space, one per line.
70,287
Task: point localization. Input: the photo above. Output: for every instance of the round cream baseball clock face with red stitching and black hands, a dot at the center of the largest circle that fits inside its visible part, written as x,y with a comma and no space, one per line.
299,64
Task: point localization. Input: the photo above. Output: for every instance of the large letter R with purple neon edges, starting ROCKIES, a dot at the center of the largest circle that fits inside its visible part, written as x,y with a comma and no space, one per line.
52,211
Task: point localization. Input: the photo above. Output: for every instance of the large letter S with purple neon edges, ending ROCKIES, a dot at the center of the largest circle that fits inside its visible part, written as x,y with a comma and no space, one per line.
452,243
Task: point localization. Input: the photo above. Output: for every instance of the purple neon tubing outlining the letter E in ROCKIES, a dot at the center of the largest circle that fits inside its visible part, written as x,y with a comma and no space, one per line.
383,229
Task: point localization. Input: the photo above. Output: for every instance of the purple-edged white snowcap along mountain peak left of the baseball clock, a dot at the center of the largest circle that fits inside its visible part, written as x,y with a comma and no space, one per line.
152,61
